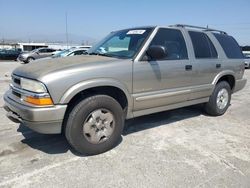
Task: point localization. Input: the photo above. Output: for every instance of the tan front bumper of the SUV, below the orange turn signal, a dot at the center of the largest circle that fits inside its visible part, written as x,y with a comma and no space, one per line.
47,120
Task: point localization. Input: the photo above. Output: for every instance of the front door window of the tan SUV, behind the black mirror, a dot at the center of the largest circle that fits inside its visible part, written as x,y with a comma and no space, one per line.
173,41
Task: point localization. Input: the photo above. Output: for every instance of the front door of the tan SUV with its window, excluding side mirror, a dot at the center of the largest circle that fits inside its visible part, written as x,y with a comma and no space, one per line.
163,82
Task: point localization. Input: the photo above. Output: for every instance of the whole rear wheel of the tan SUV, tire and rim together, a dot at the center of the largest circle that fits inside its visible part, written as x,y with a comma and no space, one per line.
220,99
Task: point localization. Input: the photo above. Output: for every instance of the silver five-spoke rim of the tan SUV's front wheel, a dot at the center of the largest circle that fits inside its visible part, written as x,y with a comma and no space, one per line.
98,126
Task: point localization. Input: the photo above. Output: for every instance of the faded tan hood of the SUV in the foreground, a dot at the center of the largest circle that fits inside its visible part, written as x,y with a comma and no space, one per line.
40,68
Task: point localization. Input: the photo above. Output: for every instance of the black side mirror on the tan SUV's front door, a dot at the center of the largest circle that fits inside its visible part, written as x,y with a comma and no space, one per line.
156,52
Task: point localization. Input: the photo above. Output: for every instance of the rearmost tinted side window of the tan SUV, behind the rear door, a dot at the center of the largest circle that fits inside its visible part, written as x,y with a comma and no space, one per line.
229,45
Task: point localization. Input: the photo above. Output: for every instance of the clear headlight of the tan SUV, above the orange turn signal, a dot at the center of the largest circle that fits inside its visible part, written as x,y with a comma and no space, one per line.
32,85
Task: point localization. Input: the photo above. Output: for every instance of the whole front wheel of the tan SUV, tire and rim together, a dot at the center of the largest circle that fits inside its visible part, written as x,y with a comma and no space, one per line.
95,125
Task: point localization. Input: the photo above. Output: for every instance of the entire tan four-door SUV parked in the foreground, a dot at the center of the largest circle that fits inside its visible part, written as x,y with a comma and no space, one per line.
132,72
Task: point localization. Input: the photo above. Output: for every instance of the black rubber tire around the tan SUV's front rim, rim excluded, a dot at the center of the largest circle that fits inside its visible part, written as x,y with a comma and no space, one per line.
74,131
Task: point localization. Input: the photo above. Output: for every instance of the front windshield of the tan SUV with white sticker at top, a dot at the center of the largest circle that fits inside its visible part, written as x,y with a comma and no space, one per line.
121,44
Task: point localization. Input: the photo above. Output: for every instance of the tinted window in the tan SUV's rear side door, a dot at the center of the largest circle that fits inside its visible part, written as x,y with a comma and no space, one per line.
203,47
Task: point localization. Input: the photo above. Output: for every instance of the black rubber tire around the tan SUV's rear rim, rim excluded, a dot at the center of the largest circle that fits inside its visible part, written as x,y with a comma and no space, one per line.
211,106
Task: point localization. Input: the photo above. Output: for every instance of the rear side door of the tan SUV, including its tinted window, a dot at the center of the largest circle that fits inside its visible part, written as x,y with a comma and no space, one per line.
206,64
